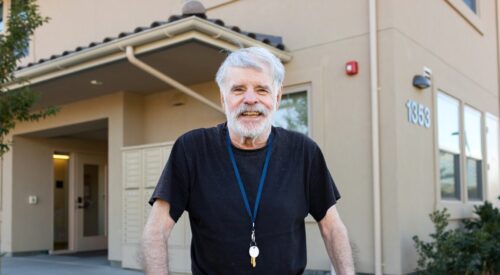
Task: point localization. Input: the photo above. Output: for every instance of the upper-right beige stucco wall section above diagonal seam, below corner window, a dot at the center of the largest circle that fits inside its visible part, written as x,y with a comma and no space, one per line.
440,30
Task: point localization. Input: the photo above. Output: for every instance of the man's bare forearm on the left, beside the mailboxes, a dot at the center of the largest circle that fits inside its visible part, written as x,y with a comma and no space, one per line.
154,238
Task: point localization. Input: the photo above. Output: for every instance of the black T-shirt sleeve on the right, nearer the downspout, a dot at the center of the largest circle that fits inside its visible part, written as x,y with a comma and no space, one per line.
322,190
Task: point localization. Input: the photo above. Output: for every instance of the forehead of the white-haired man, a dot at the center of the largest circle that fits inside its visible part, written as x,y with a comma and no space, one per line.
237,75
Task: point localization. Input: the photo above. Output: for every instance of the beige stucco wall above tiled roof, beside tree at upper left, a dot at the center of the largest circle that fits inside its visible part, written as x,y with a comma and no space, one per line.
85,21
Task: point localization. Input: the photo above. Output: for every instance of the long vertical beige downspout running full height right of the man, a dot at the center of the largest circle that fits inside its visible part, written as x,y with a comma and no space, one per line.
377,224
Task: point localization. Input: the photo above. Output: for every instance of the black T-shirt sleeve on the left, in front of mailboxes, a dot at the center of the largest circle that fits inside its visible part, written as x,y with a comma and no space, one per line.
173,185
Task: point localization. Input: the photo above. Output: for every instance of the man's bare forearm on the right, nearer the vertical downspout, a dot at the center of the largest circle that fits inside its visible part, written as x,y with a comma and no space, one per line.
336,241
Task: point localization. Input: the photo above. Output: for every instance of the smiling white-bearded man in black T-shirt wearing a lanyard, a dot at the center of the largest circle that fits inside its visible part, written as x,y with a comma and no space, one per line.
247,185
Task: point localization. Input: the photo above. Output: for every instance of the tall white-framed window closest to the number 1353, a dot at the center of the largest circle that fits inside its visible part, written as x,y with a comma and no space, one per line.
449,147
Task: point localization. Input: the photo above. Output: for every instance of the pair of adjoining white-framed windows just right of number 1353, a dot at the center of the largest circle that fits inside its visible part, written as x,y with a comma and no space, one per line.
456,136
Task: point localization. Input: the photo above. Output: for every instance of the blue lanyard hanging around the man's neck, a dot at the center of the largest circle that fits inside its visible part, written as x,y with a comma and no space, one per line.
240,182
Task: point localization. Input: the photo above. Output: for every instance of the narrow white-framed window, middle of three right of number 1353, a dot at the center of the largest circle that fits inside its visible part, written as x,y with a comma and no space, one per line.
473,153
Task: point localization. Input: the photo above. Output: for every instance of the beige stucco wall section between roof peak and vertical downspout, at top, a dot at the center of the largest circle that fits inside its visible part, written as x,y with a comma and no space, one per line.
302,24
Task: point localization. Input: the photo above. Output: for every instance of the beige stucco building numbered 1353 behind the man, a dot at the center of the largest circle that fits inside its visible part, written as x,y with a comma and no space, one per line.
414,130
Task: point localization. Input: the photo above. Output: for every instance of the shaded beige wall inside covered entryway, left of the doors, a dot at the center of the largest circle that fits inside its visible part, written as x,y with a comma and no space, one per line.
38,235
